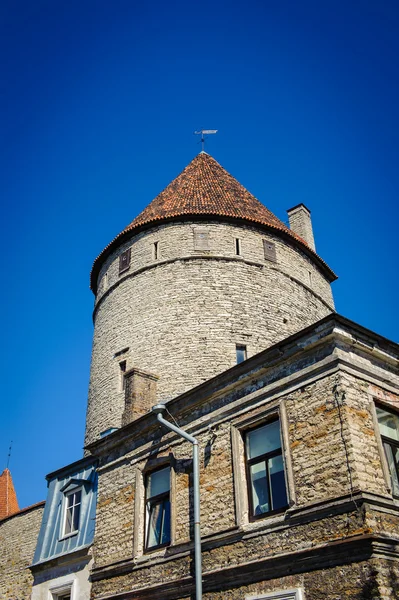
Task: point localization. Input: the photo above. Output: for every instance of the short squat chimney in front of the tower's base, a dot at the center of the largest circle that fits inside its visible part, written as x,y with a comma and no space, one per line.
140,394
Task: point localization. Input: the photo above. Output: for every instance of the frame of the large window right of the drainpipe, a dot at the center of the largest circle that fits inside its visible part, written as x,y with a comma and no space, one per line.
264,458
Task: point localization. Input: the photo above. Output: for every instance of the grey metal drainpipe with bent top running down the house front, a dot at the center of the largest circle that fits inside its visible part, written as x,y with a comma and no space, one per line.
158,409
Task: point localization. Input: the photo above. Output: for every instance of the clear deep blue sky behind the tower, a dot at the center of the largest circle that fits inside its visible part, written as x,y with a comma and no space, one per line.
99,101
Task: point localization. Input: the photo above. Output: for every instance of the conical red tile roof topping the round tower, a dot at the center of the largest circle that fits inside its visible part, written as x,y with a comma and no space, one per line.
205,189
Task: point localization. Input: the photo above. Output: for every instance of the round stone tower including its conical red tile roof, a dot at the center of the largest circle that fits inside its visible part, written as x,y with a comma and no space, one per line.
204,276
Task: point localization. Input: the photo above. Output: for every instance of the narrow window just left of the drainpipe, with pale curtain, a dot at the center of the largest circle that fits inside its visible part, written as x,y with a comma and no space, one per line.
157,492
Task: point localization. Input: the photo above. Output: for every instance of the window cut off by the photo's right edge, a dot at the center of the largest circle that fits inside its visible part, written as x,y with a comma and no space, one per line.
389,429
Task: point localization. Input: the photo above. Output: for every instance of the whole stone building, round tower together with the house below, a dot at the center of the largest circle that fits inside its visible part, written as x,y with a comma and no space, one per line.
210,307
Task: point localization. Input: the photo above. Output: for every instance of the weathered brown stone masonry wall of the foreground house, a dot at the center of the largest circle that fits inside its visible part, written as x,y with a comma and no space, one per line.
333,451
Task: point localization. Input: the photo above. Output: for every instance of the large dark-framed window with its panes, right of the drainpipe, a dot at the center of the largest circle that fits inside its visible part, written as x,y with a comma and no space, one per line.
265,470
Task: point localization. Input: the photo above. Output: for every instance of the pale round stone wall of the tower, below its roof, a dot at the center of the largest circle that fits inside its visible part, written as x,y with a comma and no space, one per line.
180,311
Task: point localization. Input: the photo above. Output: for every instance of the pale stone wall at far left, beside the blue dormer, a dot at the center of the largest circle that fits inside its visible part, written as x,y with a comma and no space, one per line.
18,537
